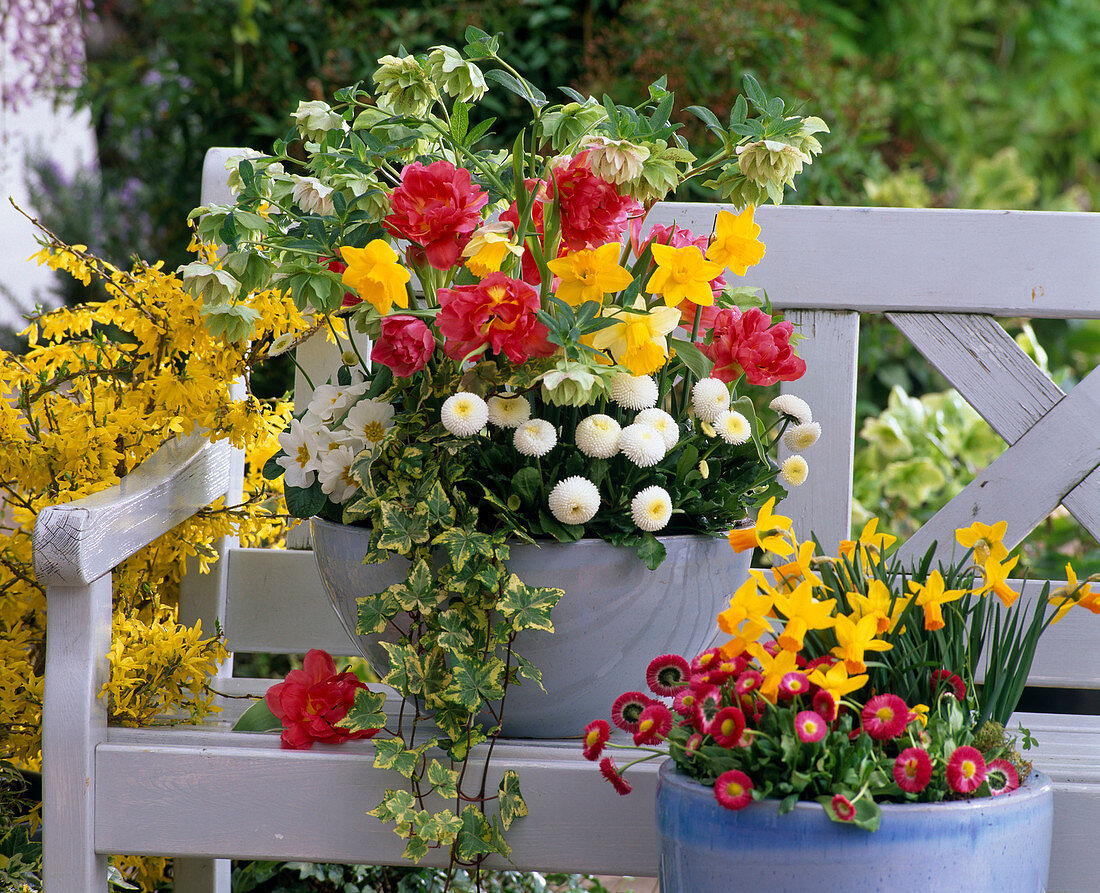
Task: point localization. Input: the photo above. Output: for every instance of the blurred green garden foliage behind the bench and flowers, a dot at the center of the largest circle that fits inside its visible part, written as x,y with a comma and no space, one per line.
959,104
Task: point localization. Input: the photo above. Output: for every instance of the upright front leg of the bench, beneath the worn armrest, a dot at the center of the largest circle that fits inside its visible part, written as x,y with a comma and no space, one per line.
79,636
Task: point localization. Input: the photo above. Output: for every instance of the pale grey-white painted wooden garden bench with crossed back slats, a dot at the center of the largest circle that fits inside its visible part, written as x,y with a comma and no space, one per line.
205,793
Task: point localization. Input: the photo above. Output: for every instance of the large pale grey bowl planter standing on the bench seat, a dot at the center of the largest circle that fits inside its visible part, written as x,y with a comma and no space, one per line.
615,618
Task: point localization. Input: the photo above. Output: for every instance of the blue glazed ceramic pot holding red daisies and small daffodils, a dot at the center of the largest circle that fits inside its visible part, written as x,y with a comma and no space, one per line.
994,845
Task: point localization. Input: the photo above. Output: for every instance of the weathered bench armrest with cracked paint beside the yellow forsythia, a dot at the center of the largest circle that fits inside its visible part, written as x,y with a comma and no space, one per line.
81,542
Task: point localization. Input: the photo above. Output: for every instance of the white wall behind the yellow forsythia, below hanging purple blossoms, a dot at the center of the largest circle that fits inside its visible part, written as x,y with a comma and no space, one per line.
69,140
